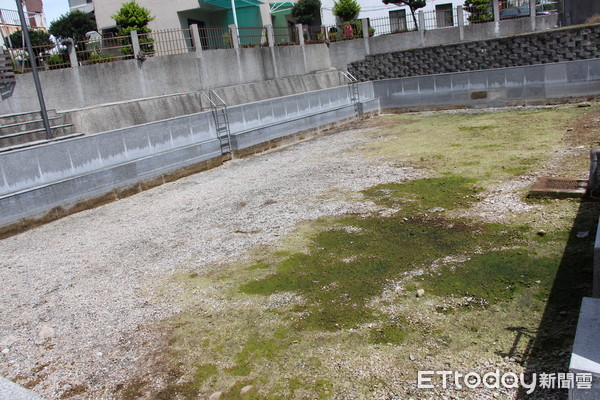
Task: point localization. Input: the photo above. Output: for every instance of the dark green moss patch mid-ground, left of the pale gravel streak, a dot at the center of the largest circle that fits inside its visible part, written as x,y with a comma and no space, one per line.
341,270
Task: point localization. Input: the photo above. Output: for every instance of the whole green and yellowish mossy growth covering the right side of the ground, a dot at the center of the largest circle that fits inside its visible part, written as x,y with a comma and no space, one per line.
336,316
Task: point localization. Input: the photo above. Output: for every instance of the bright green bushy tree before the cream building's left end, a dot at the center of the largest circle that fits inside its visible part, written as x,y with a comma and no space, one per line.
133,17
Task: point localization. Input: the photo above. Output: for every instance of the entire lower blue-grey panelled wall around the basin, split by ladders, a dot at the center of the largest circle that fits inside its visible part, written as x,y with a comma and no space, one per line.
65,173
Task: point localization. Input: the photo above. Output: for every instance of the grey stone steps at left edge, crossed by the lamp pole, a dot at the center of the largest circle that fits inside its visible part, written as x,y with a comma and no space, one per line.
22,130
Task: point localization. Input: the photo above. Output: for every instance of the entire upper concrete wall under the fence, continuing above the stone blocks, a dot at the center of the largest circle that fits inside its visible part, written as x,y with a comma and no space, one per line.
121,81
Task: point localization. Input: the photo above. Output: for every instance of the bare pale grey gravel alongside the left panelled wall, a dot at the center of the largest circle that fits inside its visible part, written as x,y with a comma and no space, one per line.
76,291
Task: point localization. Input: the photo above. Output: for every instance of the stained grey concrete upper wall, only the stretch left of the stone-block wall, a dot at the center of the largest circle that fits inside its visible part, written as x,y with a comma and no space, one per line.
91,85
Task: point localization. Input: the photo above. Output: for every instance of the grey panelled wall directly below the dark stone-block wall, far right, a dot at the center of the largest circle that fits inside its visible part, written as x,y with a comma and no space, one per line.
494,87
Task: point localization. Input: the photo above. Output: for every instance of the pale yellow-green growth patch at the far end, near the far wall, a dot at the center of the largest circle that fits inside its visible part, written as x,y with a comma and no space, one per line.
505,144
